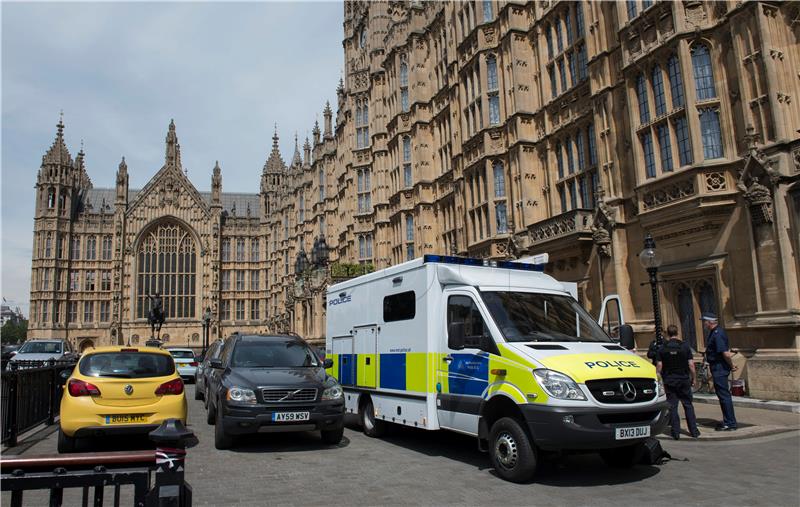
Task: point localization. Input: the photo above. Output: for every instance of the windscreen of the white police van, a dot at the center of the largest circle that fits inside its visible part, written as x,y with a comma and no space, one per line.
527,317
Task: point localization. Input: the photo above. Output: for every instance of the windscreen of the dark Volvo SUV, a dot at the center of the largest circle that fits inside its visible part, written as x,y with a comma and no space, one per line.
273,354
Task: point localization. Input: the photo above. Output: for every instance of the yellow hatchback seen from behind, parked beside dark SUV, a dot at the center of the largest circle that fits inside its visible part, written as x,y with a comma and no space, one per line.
120,391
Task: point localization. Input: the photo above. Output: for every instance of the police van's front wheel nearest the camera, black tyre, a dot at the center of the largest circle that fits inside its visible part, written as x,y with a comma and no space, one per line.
511,451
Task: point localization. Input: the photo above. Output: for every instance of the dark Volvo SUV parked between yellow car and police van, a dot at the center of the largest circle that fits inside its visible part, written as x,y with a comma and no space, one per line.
265,384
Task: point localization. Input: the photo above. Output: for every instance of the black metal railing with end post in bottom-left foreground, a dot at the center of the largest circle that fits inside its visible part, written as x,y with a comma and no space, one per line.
156,476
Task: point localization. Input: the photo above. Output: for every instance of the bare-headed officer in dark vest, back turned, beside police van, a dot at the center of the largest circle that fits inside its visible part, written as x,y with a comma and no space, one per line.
674,363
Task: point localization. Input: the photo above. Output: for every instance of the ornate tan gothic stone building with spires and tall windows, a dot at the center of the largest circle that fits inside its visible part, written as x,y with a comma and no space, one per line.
502,129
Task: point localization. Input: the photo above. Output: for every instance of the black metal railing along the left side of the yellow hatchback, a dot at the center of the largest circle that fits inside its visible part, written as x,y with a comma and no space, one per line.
31,395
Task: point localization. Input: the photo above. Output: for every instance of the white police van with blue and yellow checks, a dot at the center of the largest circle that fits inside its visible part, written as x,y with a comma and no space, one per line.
494,349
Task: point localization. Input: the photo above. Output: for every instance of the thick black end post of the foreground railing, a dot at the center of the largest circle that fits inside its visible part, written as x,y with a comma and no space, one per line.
172,439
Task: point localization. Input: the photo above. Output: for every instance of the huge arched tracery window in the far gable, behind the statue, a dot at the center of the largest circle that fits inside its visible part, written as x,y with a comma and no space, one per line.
166,264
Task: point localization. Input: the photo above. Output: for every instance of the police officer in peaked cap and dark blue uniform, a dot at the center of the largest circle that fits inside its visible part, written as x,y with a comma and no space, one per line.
718,355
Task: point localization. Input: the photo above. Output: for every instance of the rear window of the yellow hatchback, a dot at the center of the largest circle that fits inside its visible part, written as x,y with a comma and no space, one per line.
126,365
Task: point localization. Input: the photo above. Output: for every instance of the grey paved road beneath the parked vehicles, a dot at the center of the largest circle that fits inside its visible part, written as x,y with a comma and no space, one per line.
441,468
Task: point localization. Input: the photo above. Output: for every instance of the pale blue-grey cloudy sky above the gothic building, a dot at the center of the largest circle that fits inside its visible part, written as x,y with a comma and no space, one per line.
225,72
